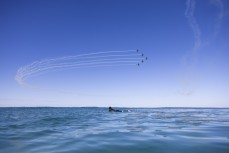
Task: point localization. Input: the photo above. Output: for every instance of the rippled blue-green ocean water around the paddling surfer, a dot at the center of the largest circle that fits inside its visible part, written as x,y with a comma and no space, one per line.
95,130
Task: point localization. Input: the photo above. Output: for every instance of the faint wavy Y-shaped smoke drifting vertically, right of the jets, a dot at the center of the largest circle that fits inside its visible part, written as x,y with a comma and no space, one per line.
190,60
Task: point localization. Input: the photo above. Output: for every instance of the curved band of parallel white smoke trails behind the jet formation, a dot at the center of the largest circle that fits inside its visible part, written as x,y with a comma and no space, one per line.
109,58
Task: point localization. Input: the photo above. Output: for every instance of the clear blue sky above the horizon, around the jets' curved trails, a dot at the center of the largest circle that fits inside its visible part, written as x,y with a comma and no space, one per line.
186,43
